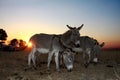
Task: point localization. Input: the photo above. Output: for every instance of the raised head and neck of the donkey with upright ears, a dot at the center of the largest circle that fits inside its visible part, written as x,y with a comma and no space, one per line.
71,37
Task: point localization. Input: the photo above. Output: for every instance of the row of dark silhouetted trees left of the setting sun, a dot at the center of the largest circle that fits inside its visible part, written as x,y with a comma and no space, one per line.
13,45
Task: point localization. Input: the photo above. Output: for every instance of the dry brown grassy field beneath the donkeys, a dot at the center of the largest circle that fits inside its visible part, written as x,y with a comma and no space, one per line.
13,66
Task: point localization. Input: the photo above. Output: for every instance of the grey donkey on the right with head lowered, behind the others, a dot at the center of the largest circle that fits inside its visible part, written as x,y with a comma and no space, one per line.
90,48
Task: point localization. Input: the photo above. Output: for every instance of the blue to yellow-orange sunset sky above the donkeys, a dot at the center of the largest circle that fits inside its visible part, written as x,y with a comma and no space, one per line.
23,18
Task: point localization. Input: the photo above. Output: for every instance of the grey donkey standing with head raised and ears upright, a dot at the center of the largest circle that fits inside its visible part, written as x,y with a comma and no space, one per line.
53,45
